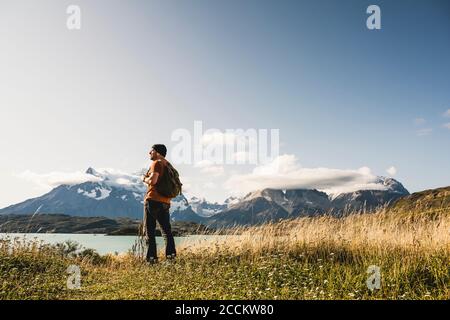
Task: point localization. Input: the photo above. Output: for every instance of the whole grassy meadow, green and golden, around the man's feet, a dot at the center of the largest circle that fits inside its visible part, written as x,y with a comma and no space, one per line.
306,258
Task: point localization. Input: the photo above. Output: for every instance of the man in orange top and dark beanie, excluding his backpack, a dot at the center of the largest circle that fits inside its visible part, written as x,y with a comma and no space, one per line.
156,206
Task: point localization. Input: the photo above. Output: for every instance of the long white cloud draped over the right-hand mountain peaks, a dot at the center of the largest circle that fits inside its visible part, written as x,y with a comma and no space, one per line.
286,173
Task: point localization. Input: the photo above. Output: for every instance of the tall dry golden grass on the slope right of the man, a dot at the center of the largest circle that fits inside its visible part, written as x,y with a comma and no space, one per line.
383,230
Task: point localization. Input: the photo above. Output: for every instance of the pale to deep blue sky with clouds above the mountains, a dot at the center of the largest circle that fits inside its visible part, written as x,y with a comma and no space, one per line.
350,103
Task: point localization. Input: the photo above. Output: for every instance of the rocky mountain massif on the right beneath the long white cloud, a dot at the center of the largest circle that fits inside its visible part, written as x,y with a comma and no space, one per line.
274,204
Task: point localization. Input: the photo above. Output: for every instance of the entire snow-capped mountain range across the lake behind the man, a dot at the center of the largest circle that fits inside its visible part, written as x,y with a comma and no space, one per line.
112,195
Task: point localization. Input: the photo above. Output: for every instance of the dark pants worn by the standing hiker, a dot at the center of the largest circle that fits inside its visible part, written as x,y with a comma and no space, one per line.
158,211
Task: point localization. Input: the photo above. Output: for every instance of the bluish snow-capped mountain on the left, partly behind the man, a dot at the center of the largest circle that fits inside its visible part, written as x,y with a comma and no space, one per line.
106,192
